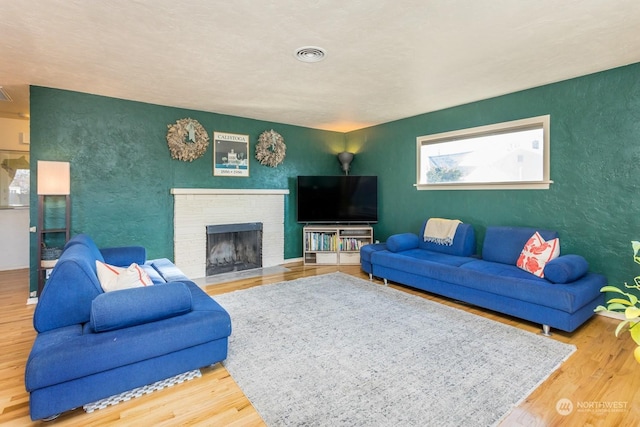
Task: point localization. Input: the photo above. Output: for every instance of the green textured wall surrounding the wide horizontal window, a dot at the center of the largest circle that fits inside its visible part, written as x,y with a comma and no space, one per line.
595,149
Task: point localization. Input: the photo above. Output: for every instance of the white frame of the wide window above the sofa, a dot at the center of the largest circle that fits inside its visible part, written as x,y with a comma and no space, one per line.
484,131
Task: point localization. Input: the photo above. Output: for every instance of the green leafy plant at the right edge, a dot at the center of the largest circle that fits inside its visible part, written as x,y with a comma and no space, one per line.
627,303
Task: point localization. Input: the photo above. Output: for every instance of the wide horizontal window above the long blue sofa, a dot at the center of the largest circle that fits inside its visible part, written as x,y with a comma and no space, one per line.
510,155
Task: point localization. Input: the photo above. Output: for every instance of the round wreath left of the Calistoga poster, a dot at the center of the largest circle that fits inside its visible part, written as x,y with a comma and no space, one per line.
187,140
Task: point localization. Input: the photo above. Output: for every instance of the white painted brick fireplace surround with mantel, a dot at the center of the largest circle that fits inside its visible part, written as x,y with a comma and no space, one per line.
196,209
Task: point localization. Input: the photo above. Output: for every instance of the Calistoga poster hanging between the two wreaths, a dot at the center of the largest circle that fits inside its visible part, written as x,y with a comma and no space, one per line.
230,154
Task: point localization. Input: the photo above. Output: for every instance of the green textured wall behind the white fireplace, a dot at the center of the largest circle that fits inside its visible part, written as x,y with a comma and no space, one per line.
122,172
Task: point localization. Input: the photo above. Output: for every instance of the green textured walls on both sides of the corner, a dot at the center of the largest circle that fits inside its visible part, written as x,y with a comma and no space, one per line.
122,170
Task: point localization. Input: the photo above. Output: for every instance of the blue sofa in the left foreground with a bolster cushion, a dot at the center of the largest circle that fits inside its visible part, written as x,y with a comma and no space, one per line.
91,345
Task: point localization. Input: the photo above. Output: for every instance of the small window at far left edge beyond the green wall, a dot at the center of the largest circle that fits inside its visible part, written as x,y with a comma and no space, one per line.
14,179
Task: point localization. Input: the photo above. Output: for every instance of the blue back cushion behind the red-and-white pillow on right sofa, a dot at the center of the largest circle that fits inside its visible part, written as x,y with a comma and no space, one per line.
504,244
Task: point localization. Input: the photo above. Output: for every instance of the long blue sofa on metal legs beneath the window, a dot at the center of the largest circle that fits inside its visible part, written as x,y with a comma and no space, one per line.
564,299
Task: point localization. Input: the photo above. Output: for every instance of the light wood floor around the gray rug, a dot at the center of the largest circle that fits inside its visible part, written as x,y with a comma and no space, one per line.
602,379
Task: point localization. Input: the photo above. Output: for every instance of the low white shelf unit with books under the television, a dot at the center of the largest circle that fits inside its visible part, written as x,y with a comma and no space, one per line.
335,244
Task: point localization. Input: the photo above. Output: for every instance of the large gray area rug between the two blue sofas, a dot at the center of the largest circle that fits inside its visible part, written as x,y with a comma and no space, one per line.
337,350
